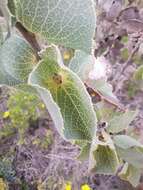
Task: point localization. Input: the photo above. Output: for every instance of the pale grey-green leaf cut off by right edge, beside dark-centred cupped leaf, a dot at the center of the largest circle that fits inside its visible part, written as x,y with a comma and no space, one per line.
129,150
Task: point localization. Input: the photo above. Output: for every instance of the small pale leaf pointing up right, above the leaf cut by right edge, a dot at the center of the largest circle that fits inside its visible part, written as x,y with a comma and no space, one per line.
121,122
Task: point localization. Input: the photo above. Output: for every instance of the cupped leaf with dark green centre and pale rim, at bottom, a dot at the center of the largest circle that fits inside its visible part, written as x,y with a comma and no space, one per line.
103,158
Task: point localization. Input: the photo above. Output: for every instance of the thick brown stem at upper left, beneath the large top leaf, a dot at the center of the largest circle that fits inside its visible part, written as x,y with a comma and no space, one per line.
30,37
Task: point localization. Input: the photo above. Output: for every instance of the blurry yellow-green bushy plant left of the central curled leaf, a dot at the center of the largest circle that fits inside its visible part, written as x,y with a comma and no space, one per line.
22,109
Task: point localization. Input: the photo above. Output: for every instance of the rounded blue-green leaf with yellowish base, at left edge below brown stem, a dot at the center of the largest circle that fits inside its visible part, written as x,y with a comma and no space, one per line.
17,58
